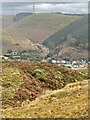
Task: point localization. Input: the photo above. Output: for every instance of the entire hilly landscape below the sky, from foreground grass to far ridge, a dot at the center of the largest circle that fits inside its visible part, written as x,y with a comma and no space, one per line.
44,66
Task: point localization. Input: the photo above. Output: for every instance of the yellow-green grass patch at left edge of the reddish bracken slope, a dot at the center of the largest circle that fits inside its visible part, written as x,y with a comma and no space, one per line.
11,82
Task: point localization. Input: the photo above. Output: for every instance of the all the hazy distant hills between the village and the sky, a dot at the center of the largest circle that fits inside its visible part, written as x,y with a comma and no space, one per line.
49,30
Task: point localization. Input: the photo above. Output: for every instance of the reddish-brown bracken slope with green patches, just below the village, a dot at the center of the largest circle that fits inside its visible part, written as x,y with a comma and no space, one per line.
33,79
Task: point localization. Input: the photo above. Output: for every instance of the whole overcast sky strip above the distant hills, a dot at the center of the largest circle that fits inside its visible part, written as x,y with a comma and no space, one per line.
75,8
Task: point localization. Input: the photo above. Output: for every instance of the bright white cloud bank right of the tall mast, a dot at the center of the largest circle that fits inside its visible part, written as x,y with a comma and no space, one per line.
68,8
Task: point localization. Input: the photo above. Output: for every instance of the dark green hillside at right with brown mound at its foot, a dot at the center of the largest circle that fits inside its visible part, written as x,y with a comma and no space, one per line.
70,41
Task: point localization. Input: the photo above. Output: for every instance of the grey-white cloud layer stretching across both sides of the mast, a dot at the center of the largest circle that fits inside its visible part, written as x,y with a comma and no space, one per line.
47,7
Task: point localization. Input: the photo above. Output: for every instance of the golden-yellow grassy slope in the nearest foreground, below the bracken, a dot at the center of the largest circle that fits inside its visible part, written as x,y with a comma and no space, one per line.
69,102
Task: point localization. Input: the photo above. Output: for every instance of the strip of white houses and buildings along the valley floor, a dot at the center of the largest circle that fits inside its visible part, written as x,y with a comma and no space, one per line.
15,57
